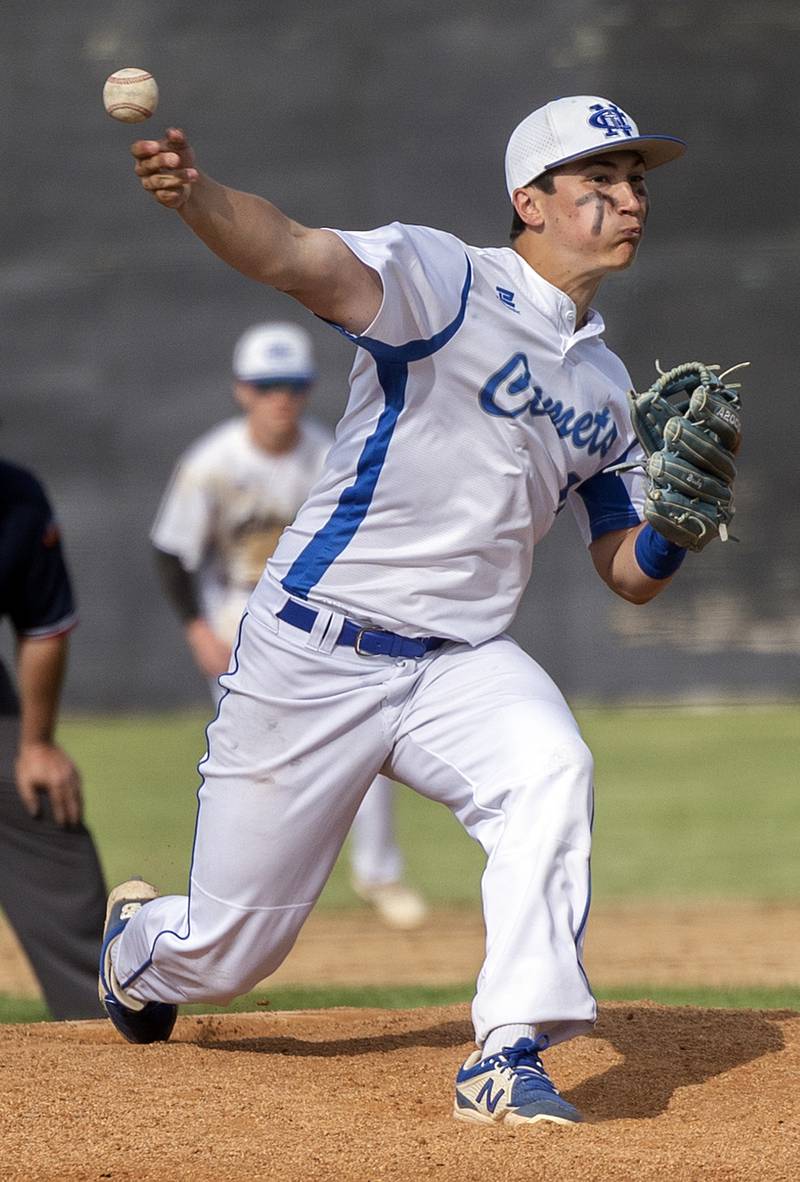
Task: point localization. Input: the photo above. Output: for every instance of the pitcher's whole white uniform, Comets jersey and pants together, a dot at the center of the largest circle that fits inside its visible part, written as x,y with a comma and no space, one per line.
477,411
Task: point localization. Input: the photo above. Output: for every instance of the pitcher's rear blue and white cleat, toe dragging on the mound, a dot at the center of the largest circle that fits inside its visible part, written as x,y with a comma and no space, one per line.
139,1022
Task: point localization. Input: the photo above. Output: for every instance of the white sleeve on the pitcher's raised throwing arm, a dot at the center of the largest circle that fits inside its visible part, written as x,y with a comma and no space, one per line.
426,277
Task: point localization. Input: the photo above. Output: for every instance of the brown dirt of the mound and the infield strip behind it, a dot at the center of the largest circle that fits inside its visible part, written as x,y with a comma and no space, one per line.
673,1095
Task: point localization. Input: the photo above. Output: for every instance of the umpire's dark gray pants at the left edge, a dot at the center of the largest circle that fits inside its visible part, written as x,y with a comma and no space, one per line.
53,892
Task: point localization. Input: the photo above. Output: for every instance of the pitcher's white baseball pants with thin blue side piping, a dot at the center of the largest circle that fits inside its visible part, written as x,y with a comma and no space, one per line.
302,733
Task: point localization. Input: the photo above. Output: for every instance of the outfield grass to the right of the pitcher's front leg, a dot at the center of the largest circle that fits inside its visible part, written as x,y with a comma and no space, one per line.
697,803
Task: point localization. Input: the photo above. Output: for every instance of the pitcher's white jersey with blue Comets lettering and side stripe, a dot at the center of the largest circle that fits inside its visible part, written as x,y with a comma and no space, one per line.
477,412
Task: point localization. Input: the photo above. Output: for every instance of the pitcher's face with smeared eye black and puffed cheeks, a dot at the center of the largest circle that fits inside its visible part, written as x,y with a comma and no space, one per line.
599,210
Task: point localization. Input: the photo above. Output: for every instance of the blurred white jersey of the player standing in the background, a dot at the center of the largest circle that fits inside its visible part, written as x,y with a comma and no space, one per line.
226,508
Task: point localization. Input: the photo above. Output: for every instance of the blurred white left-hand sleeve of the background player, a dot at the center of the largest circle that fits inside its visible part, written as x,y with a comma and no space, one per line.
185,519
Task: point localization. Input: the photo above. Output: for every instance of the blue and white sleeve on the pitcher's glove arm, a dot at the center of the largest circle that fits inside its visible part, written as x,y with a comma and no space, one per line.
614,498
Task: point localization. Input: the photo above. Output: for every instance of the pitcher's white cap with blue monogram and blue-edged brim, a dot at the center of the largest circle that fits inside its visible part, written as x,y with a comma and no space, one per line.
571,128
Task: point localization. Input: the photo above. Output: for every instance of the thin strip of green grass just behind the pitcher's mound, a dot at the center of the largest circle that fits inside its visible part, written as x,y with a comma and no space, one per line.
17,1010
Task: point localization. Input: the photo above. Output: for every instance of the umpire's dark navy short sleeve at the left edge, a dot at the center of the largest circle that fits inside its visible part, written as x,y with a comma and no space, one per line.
42,602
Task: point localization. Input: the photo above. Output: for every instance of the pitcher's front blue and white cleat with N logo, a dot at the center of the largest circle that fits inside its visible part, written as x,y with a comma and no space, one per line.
511,1088
